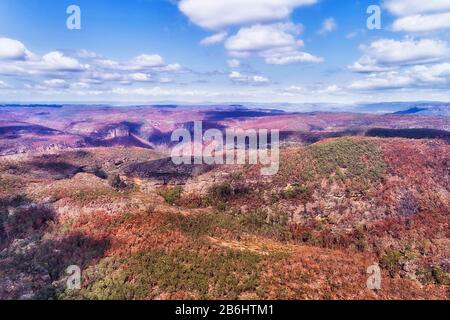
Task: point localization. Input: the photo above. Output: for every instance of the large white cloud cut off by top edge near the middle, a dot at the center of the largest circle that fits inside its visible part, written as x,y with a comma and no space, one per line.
219,14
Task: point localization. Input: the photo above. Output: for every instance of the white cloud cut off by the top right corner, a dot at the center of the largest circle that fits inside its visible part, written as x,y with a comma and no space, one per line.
418,15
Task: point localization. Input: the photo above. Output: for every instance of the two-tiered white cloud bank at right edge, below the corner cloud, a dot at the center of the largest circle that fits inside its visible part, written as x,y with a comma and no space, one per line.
403,65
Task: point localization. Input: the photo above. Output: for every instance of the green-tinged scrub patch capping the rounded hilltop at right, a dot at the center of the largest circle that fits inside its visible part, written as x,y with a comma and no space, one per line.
350,162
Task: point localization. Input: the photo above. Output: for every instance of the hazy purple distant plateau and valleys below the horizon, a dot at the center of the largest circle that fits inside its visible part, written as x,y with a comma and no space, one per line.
45,127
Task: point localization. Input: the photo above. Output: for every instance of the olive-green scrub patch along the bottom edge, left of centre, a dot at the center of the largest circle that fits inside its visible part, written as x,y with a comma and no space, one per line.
198,274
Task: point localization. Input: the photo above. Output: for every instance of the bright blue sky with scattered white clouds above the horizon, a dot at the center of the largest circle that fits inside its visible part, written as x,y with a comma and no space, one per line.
224,51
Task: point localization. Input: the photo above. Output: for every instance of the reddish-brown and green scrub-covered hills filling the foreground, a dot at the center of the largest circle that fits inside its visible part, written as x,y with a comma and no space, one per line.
310,232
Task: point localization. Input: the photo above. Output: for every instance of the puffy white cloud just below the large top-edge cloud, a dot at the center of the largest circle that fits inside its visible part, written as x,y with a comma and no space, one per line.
276,43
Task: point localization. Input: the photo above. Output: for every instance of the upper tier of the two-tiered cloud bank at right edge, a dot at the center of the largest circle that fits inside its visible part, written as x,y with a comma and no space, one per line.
385,54
